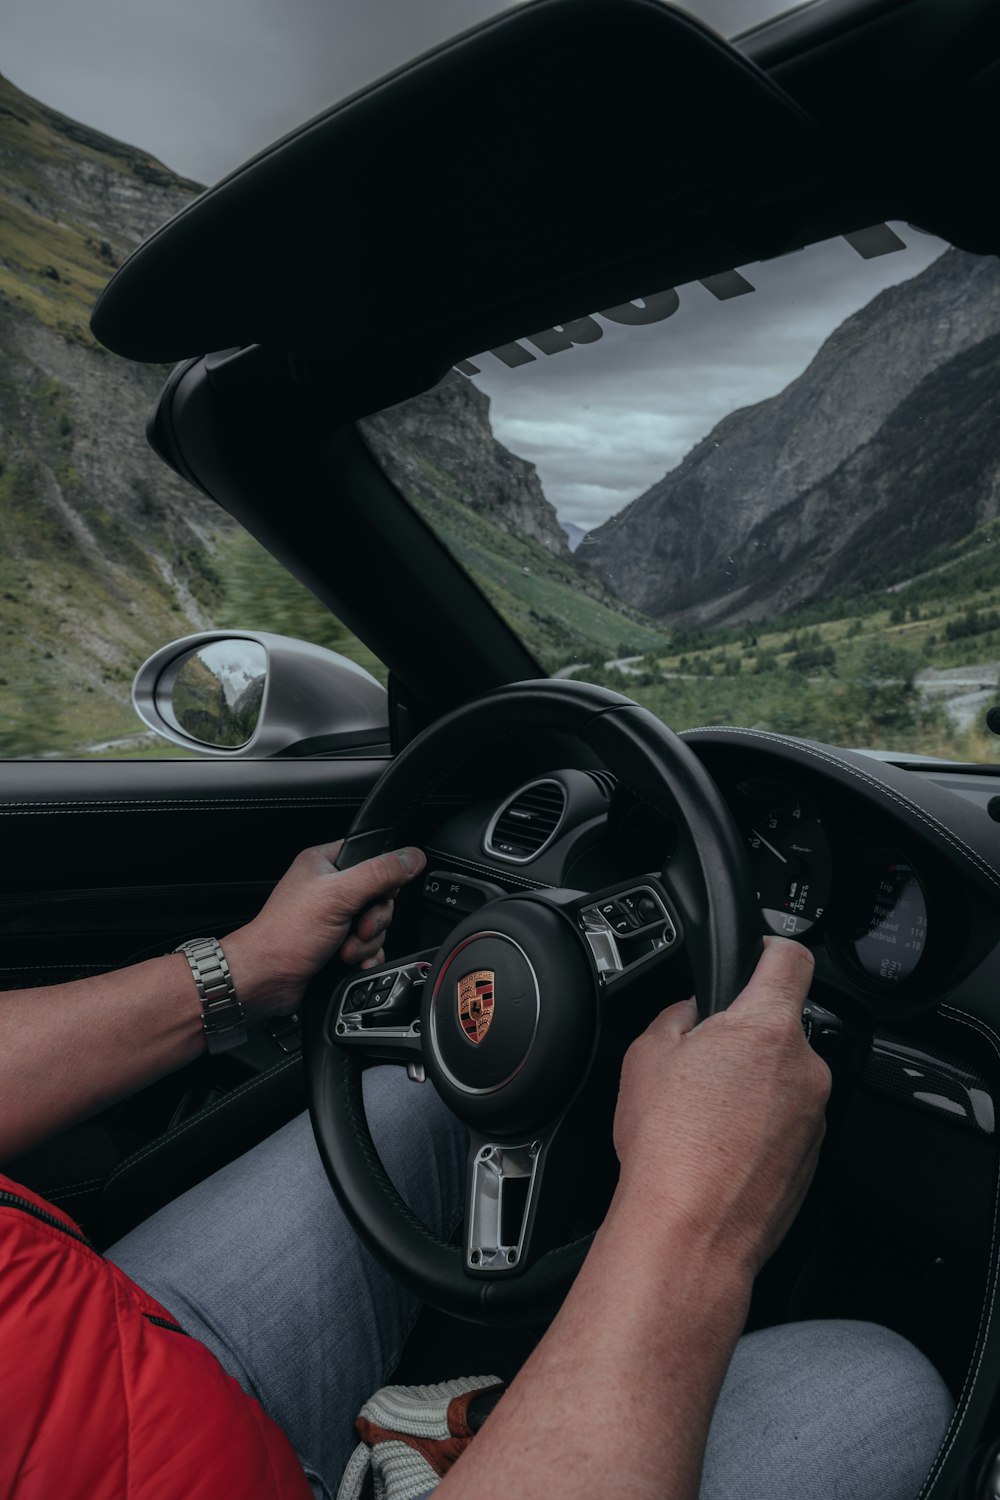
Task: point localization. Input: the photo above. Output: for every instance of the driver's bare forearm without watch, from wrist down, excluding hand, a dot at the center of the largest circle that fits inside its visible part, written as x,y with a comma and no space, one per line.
620,1396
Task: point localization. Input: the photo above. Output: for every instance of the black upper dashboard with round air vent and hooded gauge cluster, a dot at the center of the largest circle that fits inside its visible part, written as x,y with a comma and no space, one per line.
887,872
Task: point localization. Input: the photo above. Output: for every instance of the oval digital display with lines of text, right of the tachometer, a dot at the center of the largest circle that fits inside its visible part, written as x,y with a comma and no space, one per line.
888,917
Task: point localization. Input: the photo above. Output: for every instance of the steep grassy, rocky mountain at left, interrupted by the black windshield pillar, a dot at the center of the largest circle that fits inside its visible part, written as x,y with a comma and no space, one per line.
107,556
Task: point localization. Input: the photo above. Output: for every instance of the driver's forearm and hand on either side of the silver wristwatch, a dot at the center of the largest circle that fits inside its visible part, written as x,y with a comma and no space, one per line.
70,1051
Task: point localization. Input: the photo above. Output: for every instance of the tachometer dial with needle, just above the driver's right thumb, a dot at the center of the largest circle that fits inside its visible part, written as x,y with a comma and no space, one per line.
789,854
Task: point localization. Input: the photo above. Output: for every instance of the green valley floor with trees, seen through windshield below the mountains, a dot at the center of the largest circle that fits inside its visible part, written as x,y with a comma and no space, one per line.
878,671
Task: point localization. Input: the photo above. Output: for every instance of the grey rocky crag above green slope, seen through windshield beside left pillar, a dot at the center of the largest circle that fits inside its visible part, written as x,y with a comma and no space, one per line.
446,437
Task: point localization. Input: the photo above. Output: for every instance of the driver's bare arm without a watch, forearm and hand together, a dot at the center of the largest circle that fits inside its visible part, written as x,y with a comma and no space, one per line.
719,1127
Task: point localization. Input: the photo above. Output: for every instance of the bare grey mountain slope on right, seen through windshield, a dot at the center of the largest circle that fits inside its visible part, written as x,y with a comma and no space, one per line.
713,541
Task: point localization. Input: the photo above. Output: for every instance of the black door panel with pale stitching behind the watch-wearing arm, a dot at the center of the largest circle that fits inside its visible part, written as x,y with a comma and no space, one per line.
107,863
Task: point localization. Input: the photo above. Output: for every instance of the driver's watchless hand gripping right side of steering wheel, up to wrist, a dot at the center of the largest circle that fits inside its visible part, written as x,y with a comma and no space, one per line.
720,1124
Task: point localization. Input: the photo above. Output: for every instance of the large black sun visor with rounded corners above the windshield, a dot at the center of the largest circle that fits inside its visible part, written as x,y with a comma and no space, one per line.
567,157
